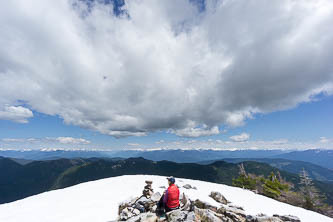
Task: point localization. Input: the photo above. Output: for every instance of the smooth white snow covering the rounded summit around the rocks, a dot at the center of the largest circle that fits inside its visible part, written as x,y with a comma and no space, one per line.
98,201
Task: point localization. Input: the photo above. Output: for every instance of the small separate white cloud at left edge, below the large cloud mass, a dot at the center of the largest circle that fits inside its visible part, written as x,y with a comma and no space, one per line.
15,113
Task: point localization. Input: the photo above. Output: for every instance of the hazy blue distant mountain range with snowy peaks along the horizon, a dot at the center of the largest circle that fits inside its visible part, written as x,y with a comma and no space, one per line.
319,157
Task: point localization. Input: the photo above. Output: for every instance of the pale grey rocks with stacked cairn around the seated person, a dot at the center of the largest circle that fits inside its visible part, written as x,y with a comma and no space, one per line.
143,209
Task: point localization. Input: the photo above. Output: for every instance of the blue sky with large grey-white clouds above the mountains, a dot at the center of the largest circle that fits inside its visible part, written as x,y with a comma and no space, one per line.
145,74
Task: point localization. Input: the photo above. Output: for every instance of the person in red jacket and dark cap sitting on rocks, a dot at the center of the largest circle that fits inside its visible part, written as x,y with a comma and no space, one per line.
170,198
